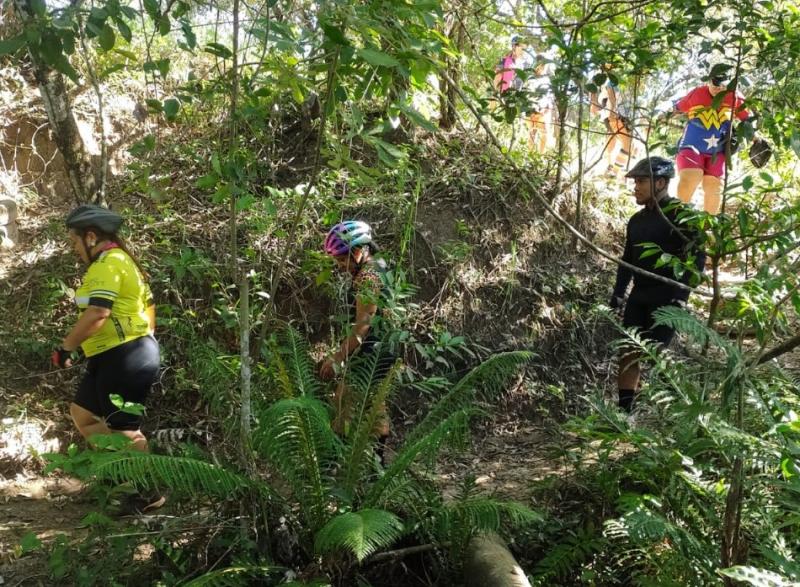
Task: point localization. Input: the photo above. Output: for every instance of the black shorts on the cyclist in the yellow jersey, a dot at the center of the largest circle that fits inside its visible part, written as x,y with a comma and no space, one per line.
128,370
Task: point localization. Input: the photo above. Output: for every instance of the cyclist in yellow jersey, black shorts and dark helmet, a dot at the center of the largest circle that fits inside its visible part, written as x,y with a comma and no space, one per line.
115,330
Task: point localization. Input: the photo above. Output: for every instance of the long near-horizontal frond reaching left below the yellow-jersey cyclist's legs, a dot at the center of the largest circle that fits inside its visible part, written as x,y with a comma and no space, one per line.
184,475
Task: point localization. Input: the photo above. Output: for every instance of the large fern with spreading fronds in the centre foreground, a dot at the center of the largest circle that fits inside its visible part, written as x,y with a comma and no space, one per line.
347,506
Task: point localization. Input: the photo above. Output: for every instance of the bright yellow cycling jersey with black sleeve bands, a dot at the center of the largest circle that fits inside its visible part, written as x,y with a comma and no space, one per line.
114,281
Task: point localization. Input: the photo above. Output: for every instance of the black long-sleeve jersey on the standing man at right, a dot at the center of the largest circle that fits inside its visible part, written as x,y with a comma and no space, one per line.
674,237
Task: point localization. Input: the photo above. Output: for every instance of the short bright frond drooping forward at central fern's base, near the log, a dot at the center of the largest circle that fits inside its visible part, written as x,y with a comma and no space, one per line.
360,533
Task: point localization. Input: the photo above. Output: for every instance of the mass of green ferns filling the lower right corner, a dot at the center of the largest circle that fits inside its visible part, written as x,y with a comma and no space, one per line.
666,479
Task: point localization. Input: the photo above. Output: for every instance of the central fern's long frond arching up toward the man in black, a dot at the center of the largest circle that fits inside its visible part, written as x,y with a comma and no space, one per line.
490,375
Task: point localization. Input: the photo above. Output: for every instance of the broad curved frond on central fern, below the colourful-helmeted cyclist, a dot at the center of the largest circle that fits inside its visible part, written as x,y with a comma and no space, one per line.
296,437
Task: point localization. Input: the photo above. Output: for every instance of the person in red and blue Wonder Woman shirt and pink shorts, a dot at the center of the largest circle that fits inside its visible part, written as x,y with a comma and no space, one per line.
701,150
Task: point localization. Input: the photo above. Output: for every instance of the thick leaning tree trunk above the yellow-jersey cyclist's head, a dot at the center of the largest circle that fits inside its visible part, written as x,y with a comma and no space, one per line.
81,173
